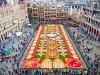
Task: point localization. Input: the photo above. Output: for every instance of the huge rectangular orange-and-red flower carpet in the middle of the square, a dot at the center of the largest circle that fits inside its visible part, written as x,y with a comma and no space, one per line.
52,48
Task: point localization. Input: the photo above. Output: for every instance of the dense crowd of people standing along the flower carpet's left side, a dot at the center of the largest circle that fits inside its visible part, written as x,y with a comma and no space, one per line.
10,64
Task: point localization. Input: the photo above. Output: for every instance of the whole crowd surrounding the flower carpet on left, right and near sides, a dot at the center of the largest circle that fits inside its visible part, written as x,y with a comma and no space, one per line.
12,64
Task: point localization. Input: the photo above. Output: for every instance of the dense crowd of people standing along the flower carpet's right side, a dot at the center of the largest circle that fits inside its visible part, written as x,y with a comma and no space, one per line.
93,63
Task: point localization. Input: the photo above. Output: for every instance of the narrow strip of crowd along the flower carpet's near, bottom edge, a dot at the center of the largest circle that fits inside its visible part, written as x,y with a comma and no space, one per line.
57,72
